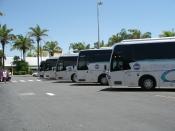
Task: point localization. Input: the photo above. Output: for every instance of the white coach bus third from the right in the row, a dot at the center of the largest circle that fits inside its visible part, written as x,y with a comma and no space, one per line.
66,68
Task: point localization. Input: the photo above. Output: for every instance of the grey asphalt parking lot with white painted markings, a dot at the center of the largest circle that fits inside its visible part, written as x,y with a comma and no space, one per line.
31,104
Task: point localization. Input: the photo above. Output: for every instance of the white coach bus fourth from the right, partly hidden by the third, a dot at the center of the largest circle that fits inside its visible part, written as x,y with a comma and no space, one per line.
49,68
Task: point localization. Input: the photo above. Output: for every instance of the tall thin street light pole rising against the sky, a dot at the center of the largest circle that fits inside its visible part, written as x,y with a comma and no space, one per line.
98,22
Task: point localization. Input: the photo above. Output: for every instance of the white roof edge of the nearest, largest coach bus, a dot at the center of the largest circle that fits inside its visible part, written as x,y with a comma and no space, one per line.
147,40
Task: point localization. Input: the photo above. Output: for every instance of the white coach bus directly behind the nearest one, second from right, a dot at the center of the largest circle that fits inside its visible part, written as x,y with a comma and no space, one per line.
92,65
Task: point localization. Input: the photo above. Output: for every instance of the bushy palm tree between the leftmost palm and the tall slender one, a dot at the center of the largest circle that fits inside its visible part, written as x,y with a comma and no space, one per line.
23,43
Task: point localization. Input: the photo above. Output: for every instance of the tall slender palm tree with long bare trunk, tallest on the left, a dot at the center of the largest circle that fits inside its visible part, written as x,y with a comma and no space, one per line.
37,32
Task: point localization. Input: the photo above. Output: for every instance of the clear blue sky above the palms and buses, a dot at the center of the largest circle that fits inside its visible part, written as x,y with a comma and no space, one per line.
76,20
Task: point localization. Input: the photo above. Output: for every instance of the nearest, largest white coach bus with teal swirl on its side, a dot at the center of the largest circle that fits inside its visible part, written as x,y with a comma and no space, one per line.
147,63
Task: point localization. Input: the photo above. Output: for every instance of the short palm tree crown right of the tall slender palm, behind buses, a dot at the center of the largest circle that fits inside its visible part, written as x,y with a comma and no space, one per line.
52,47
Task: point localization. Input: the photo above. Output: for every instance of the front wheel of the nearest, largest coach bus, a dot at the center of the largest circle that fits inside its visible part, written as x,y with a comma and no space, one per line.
147,82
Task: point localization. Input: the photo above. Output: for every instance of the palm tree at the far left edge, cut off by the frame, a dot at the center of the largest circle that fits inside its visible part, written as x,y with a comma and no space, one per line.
5,37
